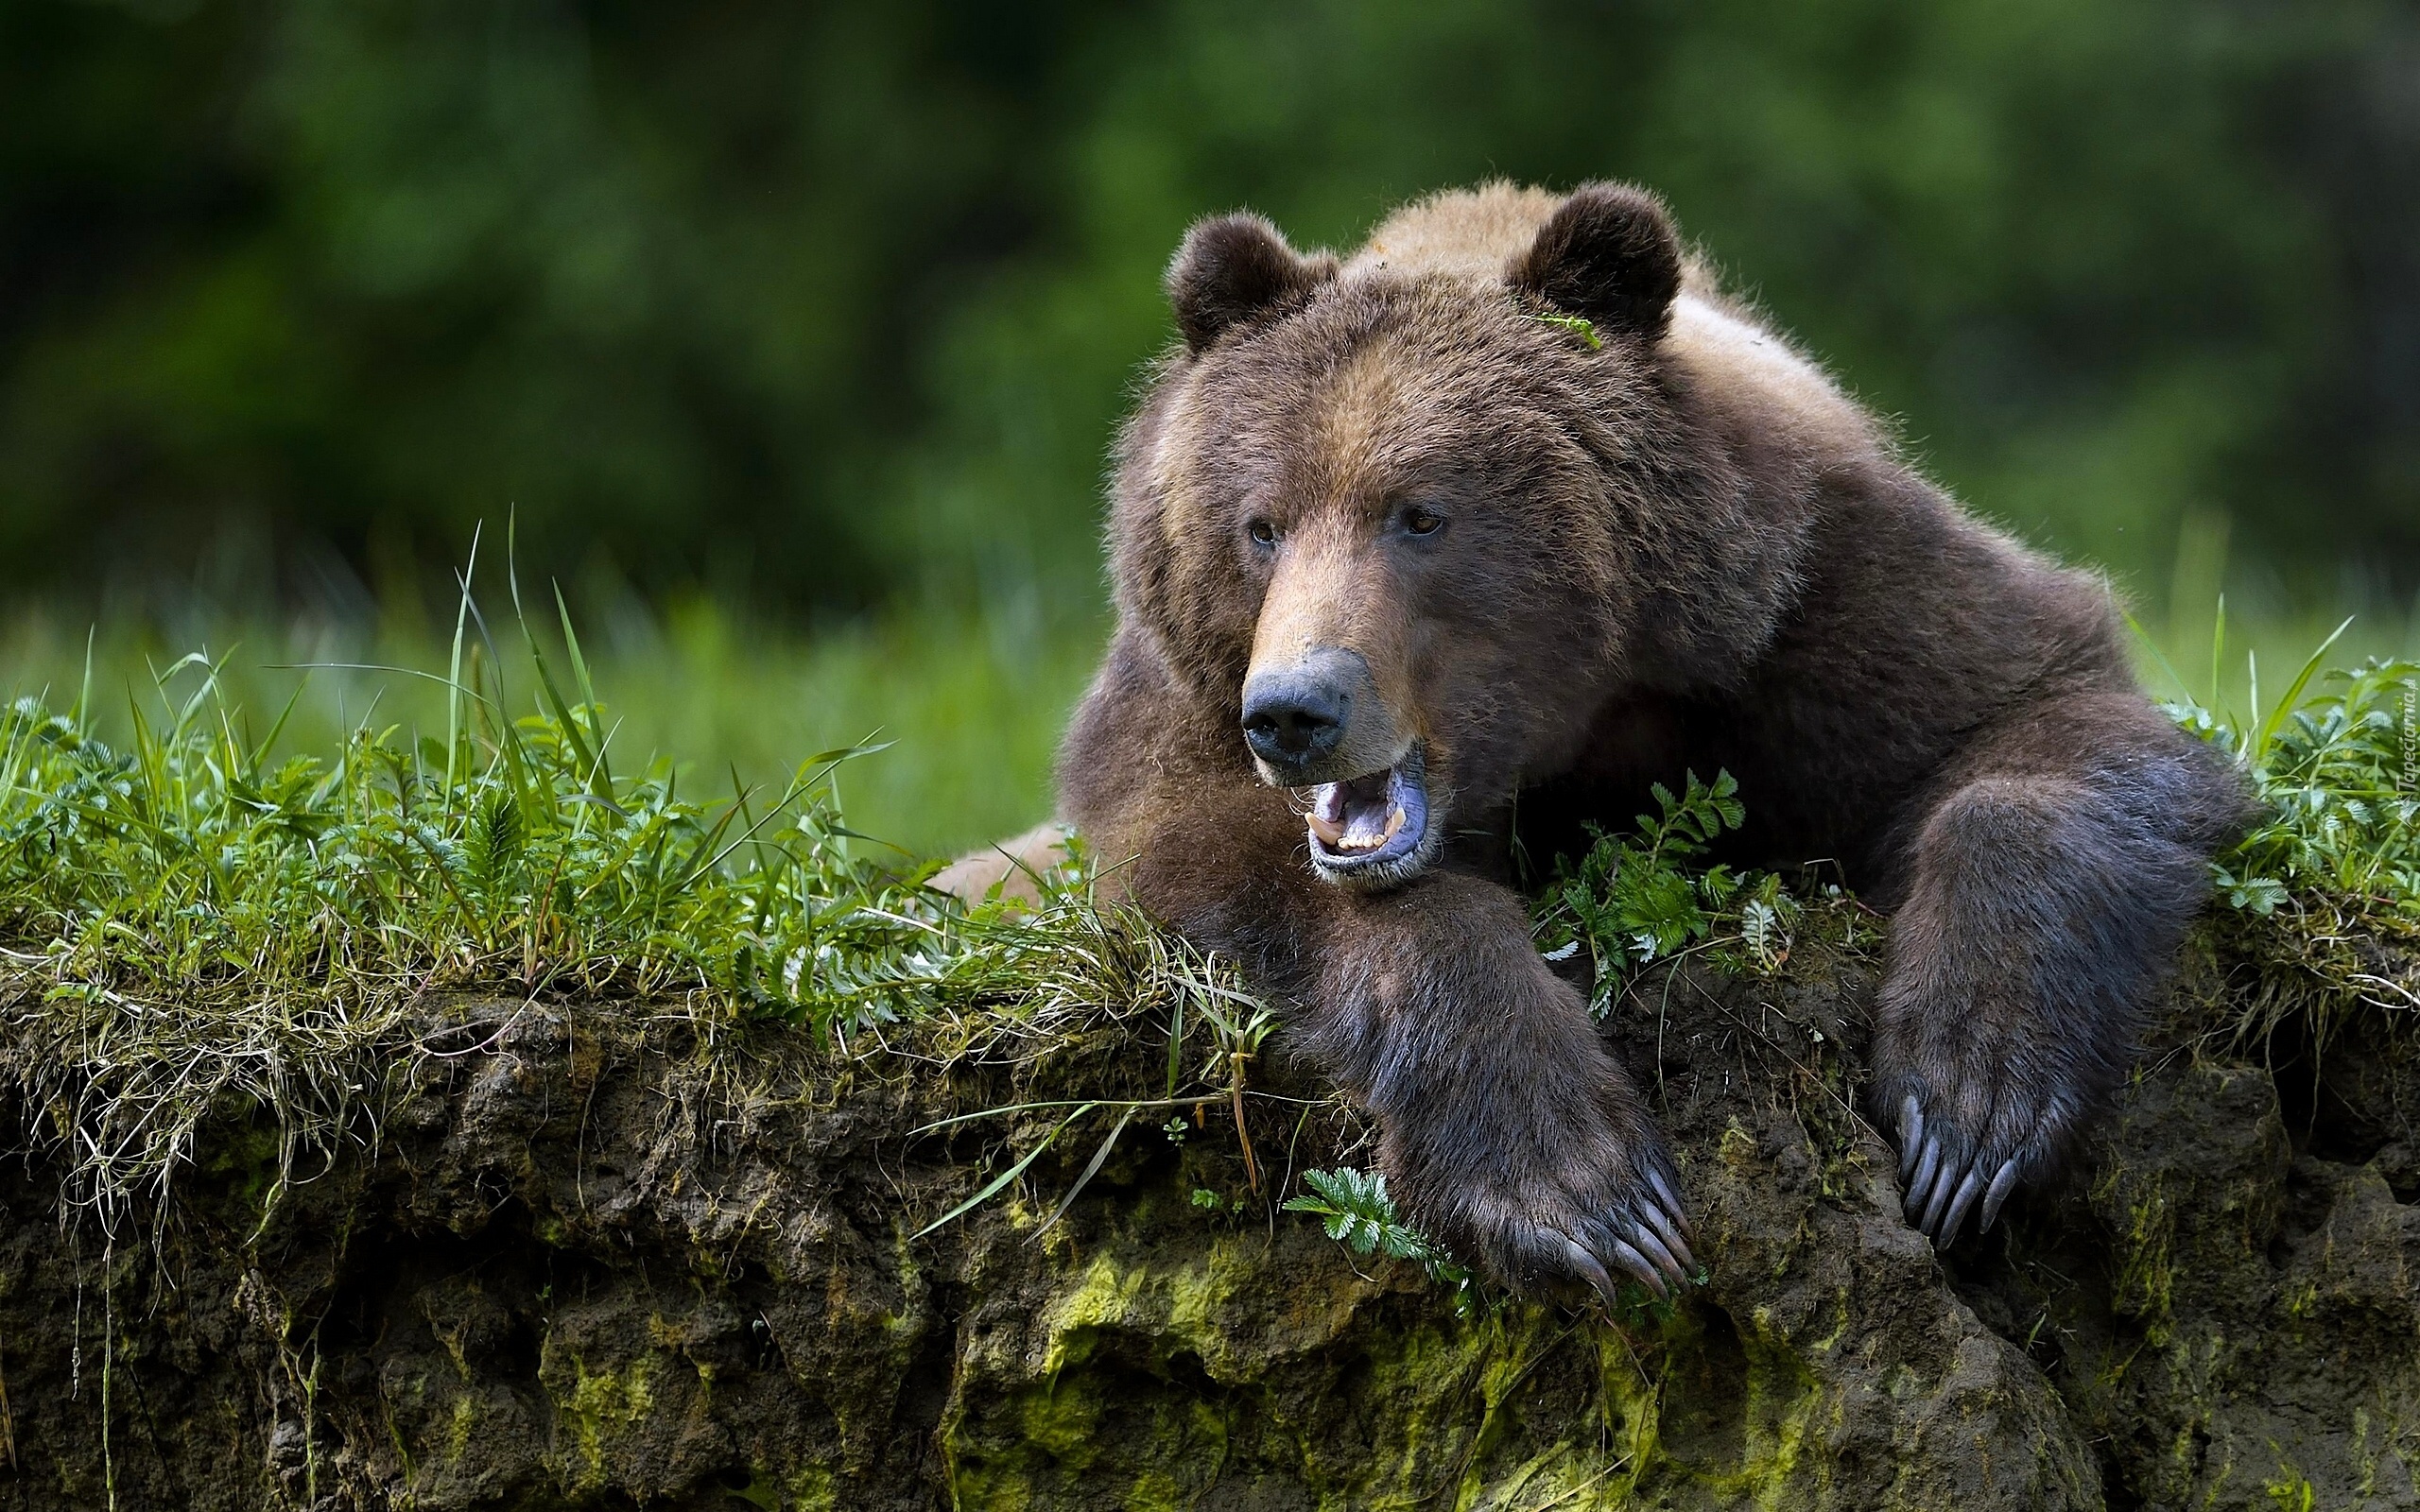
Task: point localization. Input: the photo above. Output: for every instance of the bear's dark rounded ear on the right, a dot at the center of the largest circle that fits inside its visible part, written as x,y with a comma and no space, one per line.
1608,255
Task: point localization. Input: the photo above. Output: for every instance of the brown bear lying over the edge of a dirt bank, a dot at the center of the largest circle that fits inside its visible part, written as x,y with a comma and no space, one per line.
1514,502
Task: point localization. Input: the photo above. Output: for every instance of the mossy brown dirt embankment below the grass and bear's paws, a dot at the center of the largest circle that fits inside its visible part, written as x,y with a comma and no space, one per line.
599,1262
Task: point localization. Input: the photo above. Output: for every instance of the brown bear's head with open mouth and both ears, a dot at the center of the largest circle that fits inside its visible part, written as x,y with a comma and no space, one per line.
1414,519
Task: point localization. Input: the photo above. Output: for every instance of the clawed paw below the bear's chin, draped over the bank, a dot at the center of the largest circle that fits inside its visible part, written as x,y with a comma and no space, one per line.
1579,1208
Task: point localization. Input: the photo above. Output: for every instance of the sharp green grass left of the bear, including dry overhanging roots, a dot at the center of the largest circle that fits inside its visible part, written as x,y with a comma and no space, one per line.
192,908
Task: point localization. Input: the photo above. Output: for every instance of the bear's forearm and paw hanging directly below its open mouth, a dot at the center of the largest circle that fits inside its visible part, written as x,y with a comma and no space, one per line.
1506,1129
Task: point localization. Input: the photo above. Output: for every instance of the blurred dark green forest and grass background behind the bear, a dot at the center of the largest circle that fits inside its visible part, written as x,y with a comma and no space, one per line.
790,337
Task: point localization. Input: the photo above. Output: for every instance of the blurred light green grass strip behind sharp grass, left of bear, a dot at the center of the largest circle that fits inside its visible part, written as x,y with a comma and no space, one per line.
969,710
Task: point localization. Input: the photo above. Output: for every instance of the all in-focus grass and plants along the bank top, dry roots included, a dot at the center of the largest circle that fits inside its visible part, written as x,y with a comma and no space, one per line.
190,913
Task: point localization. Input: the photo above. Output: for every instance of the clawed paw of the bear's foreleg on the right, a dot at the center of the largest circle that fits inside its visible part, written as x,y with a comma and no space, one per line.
1974,1126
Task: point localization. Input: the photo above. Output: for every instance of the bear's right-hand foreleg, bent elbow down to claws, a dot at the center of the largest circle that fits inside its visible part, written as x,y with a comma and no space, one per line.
2046,901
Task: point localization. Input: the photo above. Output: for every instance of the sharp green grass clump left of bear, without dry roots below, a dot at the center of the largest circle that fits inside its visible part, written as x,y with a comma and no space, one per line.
192,865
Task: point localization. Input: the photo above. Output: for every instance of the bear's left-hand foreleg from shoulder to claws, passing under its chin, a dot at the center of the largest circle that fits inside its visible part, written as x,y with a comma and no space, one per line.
1504,1126
